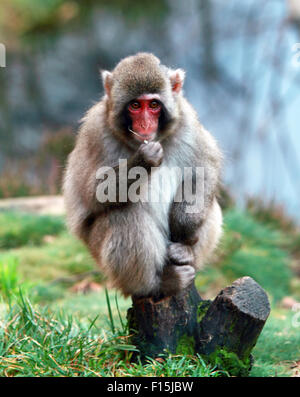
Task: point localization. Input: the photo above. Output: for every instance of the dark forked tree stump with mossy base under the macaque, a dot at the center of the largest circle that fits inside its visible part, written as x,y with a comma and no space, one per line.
223,332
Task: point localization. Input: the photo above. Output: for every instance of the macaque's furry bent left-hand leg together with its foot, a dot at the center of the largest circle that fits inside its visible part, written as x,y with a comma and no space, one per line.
133,254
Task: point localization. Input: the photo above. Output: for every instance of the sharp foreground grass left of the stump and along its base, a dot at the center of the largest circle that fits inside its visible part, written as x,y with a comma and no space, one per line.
56,344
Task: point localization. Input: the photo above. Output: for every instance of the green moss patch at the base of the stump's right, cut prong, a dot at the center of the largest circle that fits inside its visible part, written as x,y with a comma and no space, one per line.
230,362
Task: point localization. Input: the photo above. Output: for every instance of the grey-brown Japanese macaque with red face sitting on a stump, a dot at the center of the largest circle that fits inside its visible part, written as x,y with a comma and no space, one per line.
146,248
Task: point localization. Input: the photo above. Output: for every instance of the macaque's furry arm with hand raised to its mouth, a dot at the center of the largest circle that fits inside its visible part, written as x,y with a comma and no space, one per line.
80,183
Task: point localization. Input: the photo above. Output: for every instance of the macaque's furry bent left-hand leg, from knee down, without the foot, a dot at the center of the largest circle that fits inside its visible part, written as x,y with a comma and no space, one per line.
133,251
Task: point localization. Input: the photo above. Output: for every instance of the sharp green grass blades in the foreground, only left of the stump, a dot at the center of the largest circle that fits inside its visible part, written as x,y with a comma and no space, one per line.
43,344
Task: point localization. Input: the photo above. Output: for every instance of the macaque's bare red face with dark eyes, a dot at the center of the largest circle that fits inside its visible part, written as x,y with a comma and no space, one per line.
144,113
